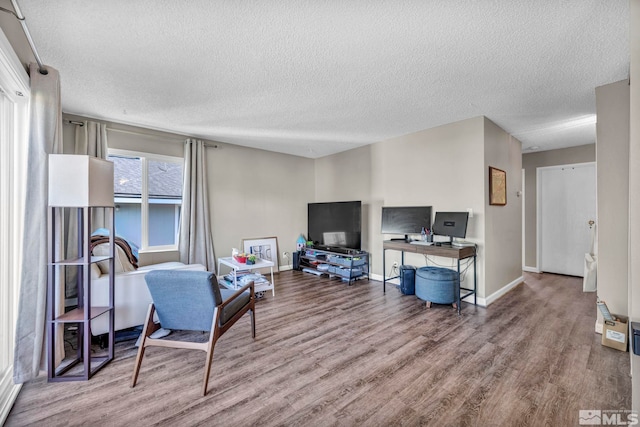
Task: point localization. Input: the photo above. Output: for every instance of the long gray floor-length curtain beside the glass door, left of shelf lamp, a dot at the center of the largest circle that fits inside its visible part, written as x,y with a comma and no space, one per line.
45,137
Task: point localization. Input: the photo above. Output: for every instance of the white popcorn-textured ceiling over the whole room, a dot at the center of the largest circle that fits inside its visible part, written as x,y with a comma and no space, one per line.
311,78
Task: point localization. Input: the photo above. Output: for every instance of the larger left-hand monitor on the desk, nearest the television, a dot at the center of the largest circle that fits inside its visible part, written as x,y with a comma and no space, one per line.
405,220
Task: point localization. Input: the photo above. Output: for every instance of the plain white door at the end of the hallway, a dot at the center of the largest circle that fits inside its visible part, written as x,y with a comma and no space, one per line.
566,204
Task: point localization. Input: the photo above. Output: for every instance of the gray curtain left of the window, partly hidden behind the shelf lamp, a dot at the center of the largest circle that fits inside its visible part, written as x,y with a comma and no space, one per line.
91,139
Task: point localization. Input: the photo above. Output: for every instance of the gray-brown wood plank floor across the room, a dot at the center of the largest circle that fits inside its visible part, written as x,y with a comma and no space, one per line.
331,354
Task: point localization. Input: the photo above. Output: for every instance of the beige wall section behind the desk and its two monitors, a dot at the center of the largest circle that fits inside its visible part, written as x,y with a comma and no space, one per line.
440,167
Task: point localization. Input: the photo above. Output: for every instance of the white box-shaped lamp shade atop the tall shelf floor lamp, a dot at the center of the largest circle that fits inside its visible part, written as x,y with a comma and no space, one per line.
79,180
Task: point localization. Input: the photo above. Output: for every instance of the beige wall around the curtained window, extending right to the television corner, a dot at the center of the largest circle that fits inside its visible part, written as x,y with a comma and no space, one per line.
253,193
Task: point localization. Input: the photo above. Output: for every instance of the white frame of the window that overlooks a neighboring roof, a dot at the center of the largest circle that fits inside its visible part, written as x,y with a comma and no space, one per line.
144,200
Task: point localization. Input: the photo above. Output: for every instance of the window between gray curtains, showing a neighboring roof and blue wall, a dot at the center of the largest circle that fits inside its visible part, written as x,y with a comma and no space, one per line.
148,198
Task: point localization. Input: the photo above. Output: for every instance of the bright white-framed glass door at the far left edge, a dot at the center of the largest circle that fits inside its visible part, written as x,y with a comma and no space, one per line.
14,128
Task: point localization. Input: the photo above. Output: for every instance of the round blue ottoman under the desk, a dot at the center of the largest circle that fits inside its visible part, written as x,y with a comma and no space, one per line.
437,284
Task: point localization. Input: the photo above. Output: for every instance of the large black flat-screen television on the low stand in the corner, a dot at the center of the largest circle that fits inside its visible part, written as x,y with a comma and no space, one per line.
335,225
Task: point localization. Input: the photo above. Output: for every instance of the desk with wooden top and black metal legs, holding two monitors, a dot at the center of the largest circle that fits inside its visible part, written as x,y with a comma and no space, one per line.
443,251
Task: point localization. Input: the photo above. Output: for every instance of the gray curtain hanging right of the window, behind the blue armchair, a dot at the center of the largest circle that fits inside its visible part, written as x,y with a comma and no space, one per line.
195,240
